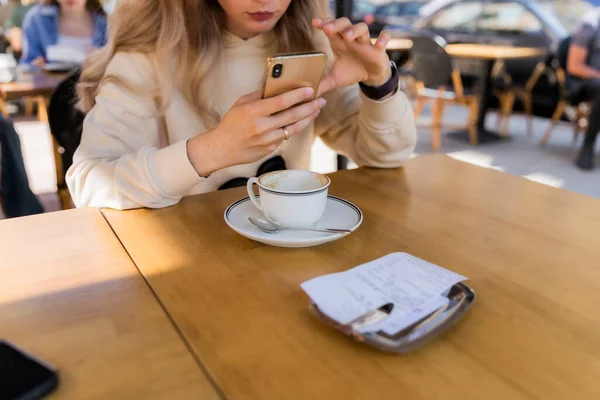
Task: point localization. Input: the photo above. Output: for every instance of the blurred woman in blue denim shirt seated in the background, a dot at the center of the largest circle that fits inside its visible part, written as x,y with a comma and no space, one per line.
77,24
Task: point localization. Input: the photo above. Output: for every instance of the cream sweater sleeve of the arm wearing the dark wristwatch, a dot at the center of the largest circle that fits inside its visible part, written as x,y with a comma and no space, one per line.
372,133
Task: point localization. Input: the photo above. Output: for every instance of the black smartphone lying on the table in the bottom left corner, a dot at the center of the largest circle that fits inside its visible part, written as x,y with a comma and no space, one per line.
22,377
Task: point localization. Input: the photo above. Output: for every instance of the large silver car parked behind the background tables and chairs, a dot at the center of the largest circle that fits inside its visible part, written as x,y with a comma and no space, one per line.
517,23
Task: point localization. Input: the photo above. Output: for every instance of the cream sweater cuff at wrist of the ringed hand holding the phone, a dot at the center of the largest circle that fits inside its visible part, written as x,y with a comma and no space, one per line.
172,170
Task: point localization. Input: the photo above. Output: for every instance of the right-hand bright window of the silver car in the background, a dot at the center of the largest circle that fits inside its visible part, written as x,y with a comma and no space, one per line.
509,17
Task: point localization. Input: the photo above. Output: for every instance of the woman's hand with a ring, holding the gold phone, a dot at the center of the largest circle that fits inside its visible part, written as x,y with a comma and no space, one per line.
252,129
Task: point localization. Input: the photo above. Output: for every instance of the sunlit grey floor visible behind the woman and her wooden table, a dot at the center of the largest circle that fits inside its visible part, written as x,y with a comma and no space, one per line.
521,155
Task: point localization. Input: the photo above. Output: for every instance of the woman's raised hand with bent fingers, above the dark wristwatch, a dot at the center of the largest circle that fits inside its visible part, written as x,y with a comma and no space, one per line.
356,58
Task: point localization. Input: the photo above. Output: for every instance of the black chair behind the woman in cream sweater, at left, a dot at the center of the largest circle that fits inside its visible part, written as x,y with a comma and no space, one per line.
66,124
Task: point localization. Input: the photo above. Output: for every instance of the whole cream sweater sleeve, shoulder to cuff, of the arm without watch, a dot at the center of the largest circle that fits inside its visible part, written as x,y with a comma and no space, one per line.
118,163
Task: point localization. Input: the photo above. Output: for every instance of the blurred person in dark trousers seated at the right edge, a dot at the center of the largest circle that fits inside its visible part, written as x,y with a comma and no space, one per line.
583,67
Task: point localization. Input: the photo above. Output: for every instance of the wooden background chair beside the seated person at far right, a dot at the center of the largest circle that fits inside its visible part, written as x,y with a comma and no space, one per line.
568,98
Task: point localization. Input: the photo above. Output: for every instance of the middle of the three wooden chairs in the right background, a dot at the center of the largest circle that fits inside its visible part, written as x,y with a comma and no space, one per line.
508,92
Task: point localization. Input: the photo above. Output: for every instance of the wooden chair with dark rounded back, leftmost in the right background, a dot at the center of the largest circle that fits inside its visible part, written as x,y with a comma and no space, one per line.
440,81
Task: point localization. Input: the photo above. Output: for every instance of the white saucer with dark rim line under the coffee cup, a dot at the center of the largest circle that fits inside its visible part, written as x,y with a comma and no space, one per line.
339,213
